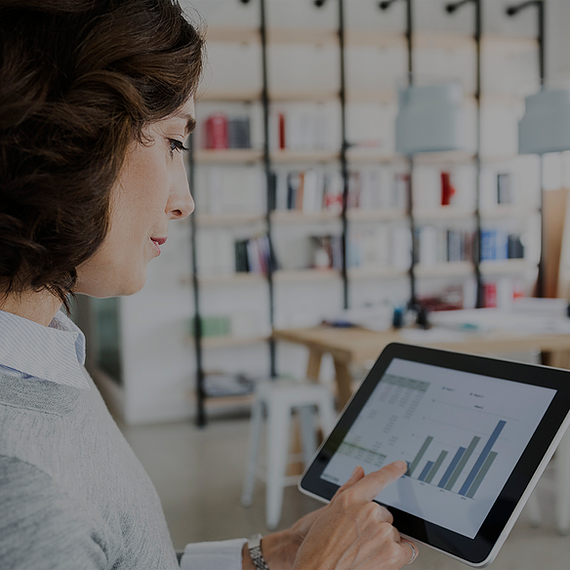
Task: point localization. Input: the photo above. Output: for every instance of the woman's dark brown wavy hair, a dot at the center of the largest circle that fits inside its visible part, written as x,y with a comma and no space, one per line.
79,80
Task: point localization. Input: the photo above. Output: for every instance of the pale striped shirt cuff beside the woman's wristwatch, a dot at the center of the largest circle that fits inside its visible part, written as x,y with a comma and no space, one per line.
224,555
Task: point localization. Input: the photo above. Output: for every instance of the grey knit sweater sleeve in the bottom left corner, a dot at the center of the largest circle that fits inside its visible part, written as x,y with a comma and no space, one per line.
41,526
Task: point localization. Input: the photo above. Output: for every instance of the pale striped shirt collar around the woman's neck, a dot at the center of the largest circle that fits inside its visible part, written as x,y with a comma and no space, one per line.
55,353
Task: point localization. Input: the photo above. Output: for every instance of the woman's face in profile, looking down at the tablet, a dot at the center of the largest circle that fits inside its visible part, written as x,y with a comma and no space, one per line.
151,190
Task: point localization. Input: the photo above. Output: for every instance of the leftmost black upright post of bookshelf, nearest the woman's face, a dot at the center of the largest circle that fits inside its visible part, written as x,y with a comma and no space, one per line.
200,393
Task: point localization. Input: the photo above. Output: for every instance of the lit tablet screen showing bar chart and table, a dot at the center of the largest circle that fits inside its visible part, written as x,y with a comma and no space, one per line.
460,433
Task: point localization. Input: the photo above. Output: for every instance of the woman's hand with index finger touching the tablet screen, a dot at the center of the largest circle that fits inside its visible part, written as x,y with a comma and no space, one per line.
353,532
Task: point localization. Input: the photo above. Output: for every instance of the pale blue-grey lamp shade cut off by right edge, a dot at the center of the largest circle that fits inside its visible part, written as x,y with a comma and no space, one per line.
545,126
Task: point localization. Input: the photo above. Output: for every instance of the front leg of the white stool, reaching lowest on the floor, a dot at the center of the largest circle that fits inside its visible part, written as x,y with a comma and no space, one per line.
278,426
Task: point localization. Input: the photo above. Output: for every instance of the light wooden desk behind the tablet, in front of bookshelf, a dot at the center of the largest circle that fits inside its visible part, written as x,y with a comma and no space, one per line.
357,346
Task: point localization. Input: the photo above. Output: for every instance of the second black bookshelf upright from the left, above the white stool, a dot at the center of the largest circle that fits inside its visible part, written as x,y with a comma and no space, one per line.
269,184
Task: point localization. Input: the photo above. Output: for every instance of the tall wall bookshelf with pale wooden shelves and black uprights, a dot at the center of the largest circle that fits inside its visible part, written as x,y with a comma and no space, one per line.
285,225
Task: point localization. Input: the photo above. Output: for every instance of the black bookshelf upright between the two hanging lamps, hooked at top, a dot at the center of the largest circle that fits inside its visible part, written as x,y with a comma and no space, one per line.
450,8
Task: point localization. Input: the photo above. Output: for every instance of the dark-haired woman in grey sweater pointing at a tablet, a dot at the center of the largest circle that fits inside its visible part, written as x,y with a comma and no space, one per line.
96,100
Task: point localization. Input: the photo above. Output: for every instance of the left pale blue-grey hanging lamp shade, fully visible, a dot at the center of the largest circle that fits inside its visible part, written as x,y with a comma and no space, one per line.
430,118
